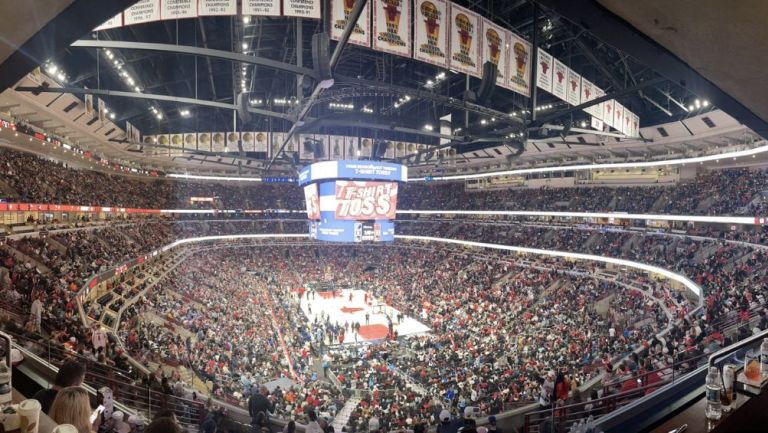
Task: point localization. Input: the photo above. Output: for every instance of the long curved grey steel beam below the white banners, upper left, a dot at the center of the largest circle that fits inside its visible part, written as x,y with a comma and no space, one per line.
196,51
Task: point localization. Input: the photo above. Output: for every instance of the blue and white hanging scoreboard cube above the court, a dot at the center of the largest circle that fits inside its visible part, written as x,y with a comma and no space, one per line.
352,201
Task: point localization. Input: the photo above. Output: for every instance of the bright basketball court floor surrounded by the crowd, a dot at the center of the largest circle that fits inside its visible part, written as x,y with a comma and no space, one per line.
342,309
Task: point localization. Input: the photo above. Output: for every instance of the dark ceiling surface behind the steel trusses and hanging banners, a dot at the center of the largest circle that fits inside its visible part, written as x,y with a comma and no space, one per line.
276,38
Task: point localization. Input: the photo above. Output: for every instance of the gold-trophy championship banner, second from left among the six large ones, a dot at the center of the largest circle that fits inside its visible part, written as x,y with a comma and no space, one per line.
392,26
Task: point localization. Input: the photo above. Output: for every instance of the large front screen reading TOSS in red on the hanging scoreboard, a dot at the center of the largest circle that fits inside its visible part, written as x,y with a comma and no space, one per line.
365,200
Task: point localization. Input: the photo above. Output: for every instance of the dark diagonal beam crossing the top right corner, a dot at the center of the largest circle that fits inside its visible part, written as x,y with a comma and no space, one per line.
613,30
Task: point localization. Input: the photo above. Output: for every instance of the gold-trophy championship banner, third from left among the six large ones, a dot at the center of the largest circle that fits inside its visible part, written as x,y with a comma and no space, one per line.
430,30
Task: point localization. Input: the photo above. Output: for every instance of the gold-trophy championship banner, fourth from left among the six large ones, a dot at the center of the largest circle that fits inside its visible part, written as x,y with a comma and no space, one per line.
464,42
